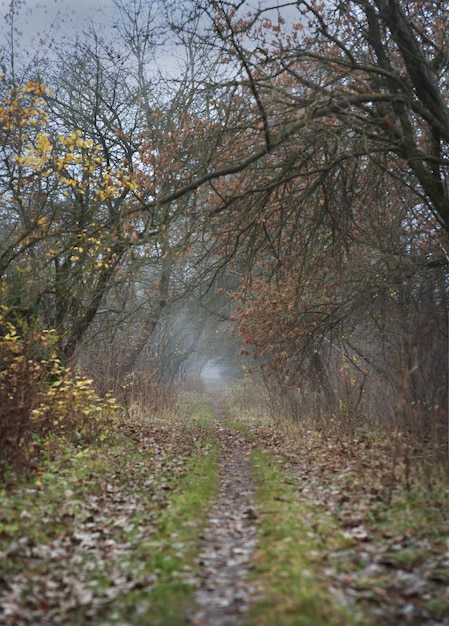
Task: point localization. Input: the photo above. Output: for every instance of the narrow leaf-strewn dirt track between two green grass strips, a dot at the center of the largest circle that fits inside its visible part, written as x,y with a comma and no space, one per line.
229,539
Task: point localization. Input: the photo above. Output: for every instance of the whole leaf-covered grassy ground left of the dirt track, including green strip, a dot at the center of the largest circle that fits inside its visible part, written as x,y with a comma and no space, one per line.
108,534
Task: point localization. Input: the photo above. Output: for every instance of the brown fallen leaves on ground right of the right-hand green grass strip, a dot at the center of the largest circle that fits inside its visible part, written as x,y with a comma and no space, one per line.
395,566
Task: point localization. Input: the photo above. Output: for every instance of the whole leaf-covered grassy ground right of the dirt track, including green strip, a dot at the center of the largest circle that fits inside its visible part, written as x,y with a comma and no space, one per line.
350,525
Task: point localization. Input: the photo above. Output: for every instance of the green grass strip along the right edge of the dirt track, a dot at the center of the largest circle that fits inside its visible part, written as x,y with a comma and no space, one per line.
289,559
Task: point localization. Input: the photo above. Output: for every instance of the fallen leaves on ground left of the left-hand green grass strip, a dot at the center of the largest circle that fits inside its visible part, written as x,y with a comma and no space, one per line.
81,536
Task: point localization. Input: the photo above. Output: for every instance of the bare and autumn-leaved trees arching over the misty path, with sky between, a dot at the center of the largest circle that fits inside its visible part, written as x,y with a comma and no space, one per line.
261,188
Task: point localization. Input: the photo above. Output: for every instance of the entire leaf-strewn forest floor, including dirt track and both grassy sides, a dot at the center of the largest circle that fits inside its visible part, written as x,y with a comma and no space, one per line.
219,516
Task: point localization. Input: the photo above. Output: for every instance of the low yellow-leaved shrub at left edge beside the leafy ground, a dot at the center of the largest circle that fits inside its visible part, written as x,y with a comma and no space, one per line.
40,399
